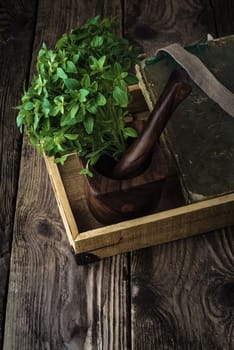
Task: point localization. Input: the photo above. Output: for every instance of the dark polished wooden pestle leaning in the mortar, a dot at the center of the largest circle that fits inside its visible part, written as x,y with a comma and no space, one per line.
138,155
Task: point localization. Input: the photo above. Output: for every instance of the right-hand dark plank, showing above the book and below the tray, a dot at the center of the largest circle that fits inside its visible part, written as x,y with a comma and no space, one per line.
181,291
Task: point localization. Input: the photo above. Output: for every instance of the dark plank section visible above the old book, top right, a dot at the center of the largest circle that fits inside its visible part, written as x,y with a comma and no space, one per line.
154,24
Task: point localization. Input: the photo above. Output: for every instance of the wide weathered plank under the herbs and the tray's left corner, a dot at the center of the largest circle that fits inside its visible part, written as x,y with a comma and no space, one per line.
52,303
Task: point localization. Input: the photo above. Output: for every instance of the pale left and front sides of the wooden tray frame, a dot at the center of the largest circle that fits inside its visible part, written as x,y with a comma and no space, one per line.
165,226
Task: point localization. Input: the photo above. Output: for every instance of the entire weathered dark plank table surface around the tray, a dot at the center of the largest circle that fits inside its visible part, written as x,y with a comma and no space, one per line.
175,296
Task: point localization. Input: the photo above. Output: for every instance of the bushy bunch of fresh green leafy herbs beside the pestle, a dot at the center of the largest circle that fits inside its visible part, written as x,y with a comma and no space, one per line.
78,99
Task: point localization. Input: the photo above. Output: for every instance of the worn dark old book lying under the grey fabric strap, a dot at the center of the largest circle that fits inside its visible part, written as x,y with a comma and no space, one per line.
199,134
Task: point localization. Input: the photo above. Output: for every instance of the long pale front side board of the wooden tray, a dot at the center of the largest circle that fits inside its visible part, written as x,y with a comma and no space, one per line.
158,228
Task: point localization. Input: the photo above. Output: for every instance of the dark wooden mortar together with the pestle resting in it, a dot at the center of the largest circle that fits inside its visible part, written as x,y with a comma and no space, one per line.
135,185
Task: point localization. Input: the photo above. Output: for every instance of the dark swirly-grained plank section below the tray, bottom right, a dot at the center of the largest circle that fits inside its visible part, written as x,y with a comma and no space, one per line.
182,294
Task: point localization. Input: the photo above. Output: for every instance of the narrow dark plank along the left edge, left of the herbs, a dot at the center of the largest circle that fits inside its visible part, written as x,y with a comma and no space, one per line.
16,34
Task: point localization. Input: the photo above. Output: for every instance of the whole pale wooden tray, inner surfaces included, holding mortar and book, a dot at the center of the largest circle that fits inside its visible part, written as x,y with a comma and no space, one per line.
173,220
